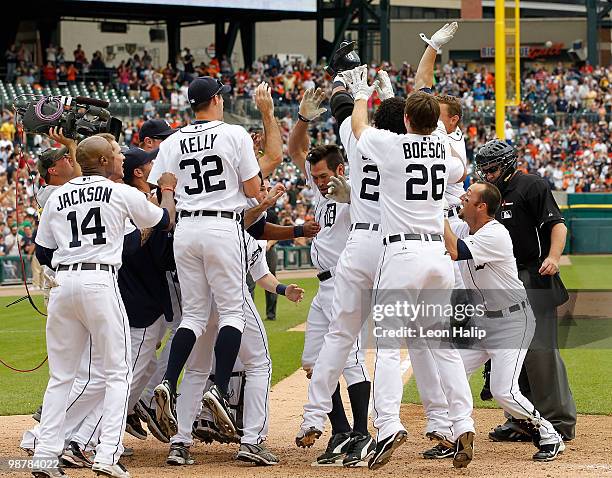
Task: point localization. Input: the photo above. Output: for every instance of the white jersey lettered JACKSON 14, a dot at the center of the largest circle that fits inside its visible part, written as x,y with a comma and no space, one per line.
85,220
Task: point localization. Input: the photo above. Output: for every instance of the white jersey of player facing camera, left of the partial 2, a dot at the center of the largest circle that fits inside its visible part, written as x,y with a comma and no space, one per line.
335,221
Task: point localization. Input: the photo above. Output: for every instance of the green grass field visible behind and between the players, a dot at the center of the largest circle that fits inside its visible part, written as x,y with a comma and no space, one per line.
22,344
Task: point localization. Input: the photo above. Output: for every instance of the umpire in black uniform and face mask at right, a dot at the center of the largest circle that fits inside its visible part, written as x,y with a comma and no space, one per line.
538,233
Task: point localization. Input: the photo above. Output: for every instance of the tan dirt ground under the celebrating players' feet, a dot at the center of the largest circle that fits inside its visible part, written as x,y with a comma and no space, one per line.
590,455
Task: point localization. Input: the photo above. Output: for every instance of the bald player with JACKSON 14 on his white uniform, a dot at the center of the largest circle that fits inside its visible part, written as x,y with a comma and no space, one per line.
81,236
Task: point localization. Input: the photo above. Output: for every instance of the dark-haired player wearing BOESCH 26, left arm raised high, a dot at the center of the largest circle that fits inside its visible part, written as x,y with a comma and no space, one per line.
414,170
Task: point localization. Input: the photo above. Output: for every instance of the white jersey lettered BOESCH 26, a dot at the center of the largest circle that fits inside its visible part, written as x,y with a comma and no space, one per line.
414,171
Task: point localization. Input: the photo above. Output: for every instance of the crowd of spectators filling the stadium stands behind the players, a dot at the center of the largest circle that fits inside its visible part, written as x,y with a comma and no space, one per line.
561,129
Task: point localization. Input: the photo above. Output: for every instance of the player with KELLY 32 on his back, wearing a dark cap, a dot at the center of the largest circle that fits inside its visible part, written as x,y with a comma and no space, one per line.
216,171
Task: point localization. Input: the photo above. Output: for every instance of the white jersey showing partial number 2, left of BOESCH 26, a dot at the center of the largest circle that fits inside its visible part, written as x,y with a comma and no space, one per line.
363,178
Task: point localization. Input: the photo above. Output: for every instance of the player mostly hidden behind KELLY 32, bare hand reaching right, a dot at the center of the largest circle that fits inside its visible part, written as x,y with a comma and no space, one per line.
254,356
